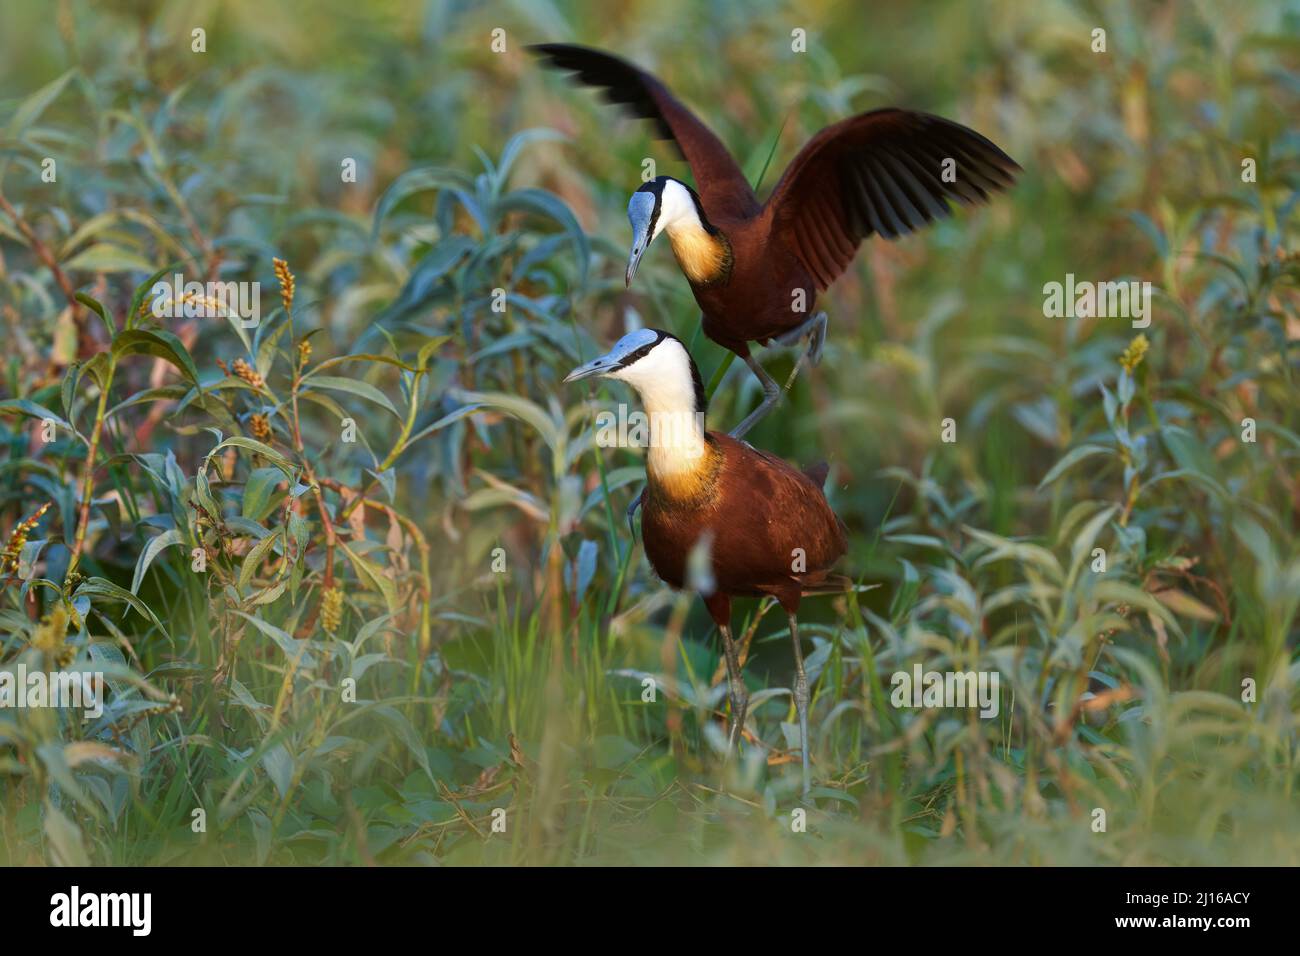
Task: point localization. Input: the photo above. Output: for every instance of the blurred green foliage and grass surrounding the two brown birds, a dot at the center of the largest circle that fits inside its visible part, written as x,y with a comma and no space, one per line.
395,638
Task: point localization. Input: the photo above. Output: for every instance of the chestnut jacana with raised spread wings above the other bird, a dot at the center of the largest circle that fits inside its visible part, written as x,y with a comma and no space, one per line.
756,269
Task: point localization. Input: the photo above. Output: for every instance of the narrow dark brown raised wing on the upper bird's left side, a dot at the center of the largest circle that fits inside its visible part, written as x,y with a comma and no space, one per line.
720,181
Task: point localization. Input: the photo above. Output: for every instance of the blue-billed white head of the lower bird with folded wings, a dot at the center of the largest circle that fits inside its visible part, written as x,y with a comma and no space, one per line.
657,365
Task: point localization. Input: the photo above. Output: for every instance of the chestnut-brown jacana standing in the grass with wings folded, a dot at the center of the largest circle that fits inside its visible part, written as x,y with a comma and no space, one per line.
761,517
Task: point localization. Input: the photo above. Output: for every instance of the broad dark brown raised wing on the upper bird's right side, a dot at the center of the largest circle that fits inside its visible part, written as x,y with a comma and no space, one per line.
881,172
